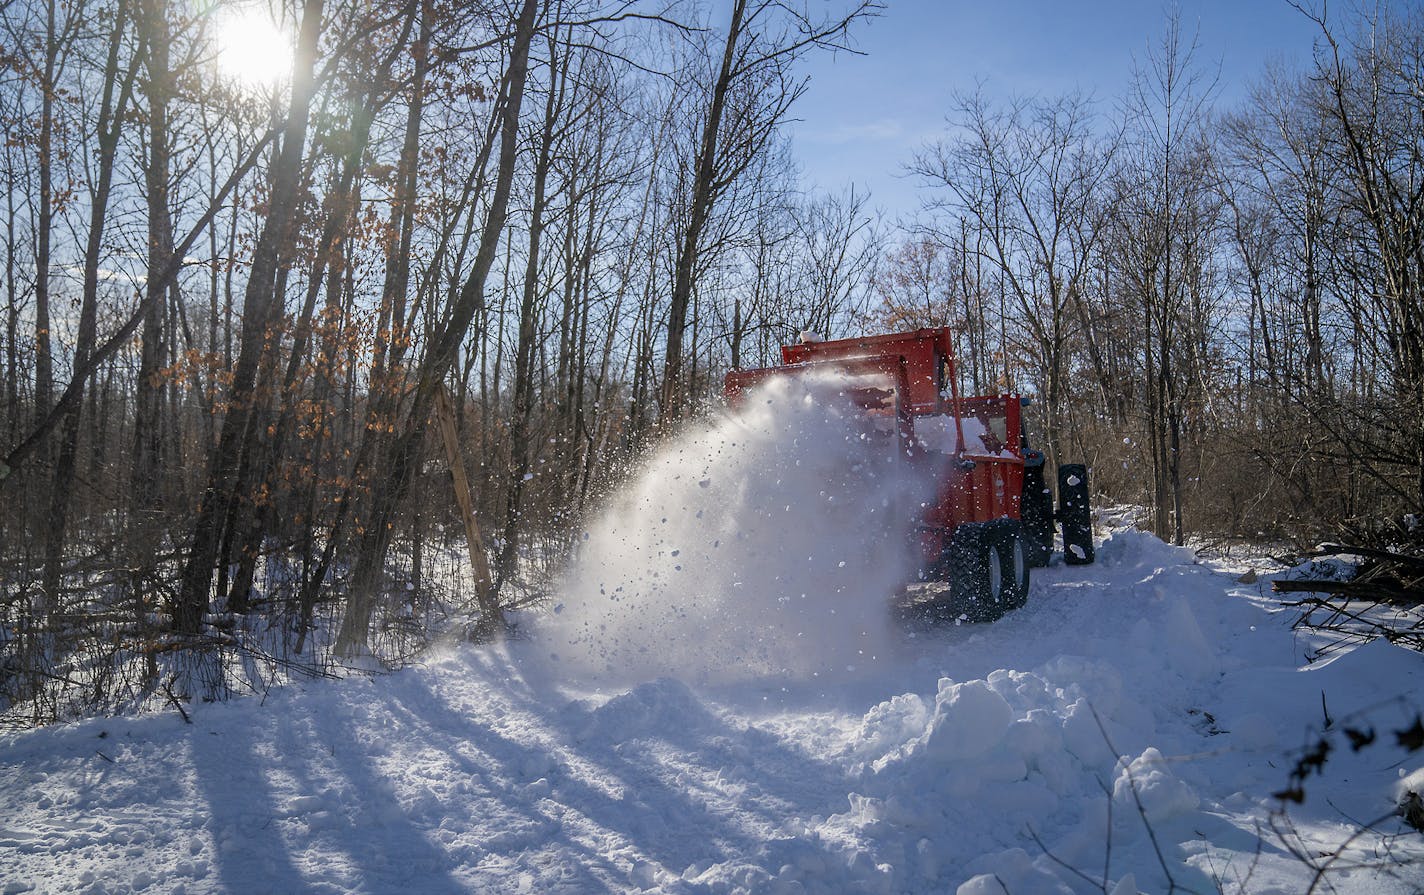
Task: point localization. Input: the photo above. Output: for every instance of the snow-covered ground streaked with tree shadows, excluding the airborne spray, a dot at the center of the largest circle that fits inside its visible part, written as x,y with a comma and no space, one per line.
931,769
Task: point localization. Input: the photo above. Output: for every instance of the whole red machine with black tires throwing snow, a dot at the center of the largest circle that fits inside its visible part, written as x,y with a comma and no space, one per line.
990,517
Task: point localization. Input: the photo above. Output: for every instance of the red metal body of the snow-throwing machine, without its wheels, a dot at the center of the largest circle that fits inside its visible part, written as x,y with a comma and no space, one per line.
968,449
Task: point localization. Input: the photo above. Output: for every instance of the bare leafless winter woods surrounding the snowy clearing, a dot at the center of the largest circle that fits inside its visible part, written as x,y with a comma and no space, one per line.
267,332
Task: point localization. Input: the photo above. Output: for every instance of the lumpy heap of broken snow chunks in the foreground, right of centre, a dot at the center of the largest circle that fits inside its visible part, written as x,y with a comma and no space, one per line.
1035,751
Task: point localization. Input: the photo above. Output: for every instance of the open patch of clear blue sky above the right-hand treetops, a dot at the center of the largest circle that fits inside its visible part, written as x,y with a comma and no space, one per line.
865,116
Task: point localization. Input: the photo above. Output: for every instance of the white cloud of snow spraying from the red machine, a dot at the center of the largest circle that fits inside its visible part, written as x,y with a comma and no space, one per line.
768,541
